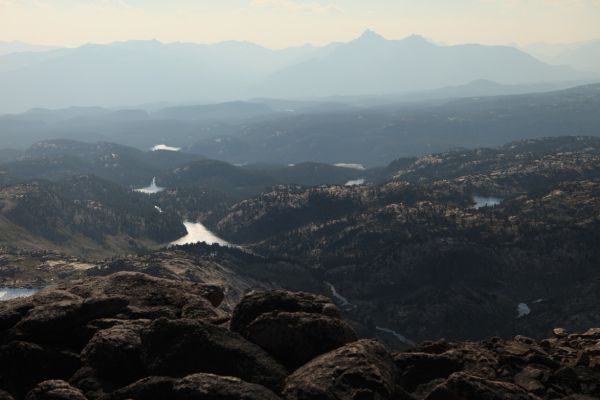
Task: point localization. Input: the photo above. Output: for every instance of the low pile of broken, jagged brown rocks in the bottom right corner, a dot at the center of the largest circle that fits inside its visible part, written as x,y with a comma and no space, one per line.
563,367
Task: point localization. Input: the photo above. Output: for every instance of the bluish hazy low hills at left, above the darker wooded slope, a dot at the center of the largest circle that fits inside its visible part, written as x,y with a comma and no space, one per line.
56,160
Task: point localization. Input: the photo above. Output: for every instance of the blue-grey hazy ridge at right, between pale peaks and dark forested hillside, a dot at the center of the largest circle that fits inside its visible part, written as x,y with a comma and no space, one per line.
377,135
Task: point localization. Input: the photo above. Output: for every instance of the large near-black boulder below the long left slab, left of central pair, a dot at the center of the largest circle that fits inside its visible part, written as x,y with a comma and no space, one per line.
182,347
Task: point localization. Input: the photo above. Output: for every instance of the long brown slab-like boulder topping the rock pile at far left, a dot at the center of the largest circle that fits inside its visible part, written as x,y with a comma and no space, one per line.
59,316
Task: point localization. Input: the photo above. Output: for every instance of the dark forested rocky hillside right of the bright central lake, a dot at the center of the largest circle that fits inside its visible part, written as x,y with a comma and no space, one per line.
418,255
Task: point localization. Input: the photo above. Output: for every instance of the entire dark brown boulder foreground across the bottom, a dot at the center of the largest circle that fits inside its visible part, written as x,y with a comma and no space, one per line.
133,336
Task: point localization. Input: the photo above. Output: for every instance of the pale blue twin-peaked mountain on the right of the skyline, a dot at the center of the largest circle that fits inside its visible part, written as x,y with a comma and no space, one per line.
372,64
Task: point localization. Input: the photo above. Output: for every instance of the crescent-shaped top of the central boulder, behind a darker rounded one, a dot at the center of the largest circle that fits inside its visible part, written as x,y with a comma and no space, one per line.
256,303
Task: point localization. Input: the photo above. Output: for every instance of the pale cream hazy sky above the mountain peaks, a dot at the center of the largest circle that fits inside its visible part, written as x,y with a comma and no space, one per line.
281,23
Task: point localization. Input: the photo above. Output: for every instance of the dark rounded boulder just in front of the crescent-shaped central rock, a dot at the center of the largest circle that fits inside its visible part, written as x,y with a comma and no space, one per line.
294,338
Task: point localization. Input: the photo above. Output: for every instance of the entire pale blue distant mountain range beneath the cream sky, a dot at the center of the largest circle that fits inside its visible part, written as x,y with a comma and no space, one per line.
140,72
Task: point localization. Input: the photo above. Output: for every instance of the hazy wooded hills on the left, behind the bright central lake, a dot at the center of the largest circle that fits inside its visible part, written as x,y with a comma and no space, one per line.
79,197
